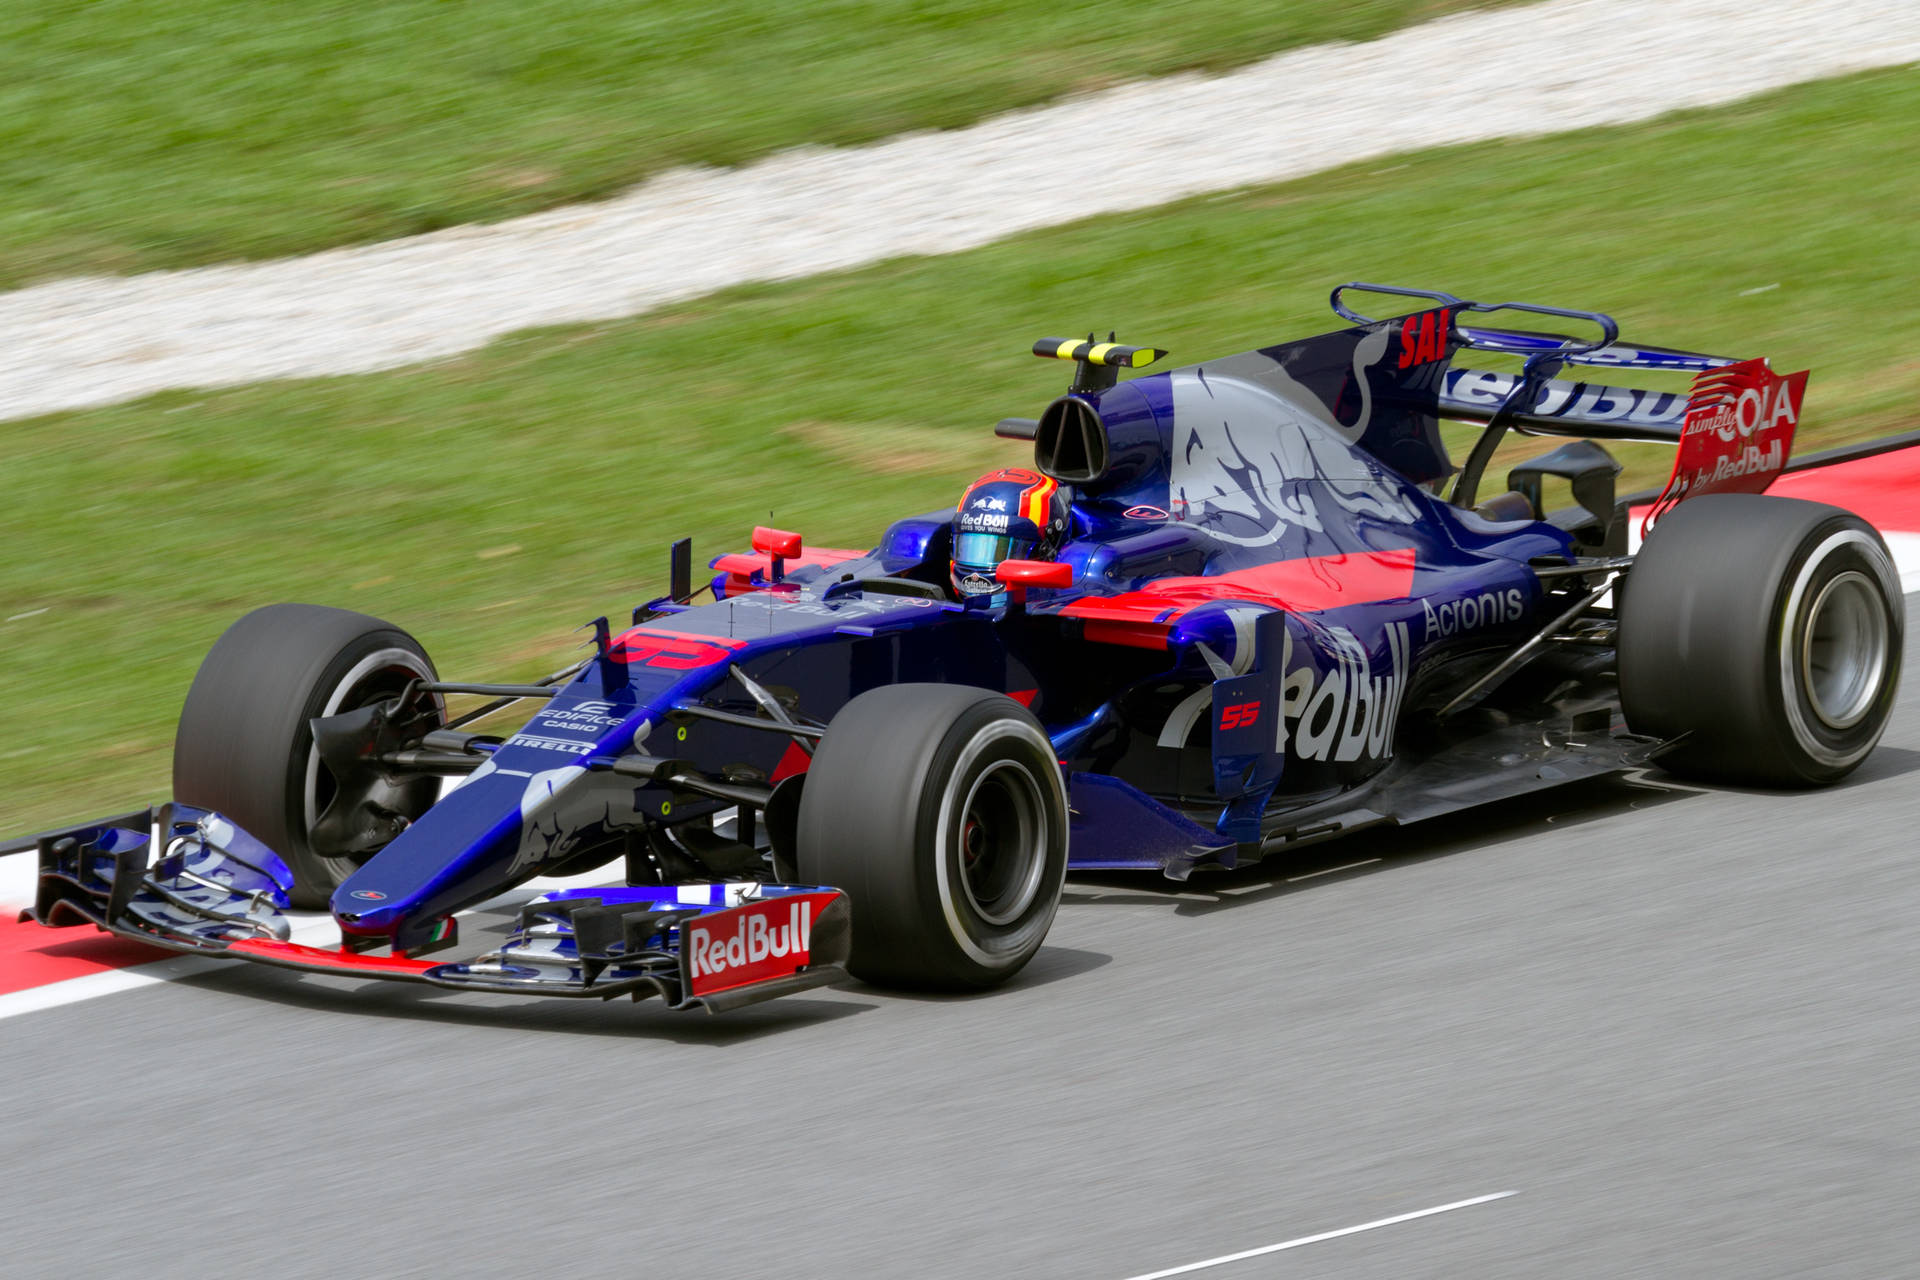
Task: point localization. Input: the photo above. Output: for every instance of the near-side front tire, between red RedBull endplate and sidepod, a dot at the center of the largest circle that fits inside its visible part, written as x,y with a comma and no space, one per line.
942,815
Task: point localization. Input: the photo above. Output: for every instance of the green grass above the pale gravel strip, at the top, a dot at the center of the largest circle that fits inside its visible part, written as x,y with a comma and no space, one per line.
145,133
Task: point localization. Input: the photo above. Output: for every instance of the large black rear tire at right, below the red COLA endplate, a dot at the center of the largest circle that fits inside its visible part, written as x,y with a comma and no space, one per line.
1764,636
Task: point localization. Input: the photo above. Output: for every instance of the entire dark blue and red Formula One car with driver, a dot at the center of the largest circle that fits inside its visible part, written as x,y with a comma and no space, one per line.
1234,609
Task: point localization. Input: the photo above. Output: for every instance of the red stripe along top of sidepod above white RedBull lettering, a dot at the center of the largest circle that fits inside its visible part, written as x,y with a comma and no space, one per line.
1303,586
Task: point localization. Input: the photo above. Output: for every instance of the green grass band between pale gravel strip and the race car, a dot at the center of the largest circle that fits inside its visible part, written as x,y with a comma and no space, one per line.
491,504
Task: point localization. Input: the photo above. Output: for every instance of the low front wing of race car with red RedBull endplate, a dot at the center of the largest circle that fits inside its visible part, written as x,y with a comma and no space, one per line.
191,882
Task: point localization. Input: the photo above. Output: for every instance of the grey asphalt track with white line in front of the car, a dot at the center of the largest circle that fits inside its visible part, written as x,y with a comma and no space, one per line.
1681,1026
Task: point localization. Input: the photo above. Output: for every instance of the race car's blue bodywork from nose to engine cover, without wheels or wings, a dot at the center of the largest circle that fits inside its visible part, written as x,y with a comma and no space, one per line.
1243,506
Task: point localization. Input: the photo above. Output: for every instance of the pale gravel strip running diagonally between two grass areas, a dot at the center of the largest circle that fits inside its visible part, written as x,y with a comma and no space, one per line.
1548,68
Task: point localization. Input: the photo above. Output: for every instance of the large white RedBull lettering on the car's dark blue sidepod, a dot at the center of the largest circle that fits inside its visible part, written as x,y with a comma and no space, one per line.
1347,713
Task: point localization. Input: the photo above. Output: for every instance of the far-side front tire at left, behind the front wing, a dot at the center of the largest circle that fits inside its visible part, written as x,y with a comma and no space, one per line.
245,746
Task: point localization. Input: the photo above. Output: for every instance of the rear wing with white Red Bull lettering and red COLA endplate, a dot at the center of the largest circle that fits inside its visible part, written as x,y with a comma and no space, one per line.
1735,425
